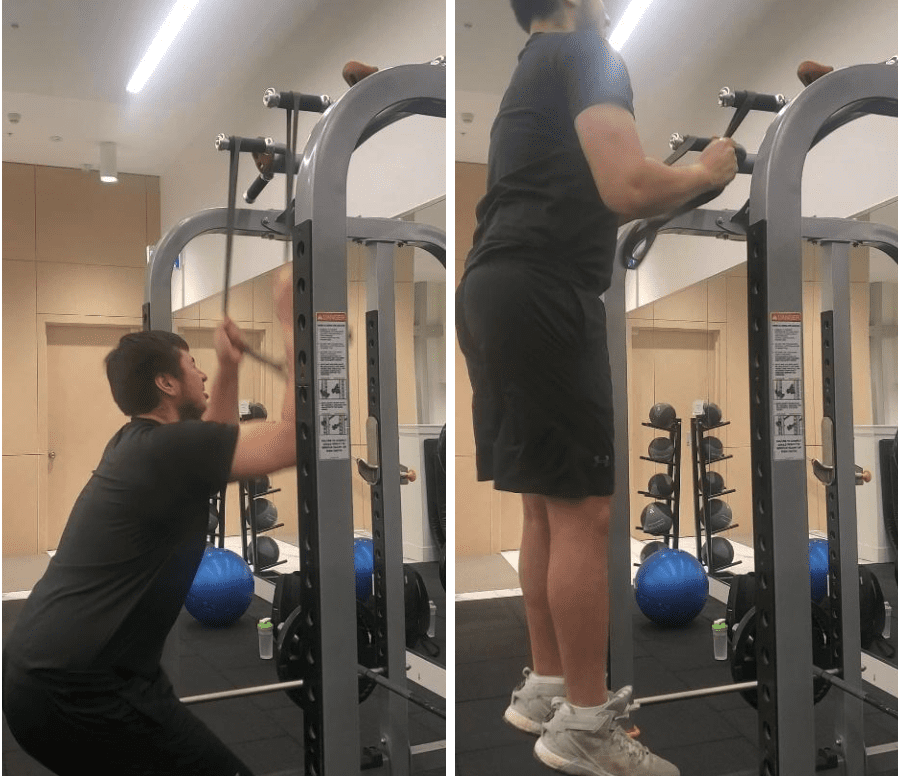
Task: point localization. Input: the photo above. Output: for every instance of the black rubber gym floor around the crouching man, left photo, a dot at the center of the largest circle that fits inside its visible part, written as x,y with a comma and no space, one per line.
265,731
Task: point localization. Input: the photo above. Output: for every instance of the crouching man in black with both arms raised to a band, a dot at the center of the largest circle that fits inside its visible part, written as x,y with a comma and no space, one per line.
83,691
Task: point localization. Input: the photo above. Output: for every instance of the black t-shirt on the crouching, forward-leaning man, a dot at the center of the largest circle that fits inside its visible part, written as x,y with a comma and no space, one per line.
128,555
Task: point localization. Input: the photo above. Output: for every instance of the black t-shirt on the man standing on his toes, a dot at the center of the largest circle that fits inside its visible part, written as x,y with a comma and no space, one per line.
542,205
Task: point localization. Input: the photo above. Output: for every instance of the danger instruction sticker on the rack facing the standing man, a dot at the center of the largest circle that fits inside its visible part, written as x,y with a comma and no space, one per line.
788,386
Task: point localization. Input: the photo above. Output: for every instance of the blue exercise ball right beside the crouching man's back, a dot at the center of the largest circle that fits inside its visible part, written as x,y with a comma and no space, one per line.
222,589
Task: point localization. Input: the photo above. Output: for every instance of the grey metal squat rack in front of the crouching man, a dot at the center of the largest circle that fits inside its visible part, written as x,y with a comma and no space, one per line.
318,228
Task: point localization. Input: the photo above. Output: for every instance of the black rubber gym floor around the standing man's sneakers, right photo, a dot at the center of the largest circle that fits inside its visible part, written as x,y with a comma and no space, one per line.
712,736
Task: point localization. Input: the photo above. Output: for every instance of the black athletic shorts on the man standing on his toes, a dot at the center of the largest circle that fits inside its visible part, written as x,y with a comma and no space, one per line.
537,355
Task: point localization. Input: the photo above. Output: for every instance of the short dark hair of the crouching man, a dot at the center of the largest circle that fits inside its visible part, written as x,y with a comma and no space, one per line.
134,364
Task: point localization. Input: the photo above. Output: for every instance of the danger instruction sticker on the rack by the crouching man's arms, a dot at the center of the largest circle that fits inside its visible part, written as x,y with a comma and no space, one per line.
332,384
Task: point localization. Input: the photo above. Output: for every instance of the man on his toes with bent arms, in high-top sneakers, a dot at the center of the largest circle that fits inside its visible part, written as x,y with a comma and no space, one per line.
565,168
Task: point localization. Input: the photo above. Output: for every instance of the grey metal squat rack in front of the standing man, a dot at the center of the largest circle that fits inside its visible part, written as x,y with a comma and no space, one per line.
774,229
